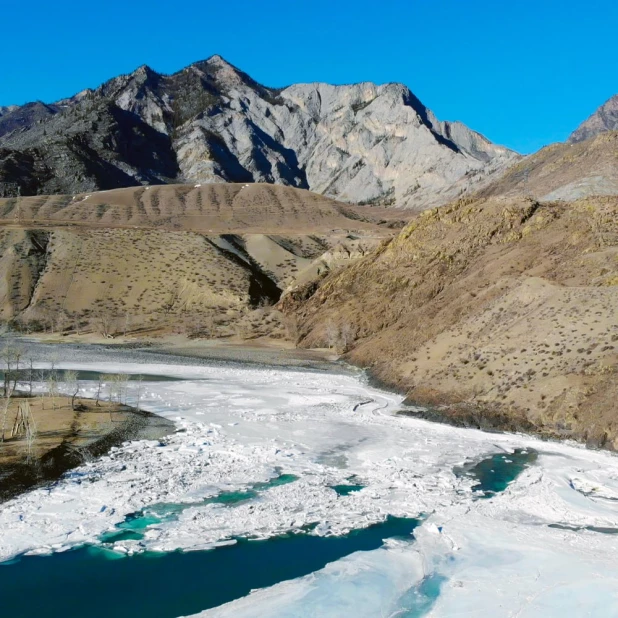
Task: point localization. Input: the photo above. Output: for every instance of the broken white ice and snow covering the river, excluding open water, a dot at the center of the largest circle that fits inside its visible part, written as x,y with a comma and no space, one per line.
237,425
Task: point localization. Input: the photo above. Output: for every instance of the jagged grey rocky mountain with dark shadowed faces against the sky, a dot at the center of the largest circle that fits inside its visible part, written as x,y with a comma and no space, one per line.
210,122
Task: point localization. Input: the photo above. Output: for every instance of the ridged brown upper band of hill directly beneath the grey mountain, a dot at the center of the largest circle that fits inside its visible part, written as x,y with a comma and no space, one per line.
212,208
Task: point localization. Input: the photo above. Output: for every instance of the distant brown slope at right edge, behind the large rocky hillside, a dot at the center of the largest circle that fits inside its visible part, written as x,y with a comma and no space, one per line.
566,171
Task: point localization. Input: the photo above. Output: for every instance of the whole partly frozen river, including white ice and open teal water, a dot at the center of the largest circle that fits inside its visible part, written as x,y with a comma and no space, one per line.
301,492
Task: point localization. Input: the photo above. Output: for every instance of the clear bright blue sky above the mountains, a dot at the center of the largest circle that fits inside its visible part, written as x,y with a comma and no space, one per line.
524,73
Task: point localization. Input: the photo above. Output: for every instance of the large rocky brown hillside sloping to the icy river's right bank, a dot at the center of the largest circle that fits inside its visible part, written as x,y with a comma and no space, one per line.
506,307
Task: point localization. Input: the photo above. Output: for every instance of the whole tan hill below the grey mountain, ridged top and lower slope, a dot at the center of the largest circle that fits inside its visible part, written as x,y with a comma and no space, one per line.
195,259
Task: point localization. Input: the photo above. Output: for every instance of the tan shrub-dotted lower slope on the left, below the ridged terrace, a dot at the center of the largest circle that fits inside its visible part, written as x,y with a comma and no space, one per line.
108,278
